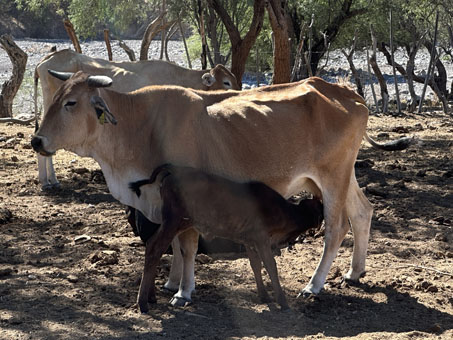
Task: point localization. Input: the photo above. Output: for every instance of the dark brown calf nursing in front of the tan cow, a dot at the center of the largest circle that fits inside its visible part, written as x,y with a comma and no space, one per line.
249,213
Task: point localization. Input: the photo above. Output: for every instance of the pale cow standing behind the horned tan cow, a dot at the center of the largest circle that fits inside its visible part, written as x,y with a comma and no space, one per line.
127,76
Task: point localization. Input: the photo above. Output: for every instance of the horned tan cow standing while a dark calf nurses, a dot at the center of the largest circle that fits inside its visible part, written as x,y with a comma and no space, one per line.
292,137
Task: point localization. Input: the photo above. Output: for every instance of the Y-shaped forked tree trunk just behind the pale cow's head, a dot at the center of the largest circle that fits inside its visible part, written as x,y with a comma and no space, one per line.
240,46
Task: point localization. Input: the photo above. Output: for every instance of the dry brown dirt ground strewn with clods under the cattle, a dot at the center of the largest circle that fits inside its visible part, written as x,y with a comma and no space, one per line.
70,265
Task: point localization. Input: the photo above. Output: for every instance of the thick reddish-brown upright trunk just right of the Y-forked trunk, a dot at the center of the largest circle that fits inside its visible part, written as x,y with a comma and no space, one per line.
278,18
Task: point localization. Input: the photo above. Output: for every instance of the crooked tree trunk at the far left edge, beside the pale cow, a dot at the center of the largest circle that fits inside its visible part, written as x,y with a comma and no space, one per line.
11,86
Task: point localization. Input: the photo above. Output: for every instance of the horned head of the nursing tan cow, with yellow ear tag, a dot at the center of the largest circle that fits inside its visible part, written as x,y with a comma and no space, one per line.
74,115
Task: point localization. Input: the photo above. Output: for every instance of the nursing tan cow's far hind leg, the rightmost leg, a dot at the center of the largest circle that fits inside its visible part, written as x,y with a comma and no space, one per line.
360,213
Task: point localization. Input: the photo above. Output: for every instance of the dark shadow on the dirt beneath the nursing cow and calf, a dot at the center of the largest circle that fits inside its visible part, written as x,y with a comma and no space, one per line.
330,314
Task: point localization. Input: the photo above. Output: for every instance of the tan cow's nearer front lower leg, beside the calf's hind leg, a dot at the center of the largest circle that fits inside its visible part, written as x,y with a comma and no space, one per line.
189,245
